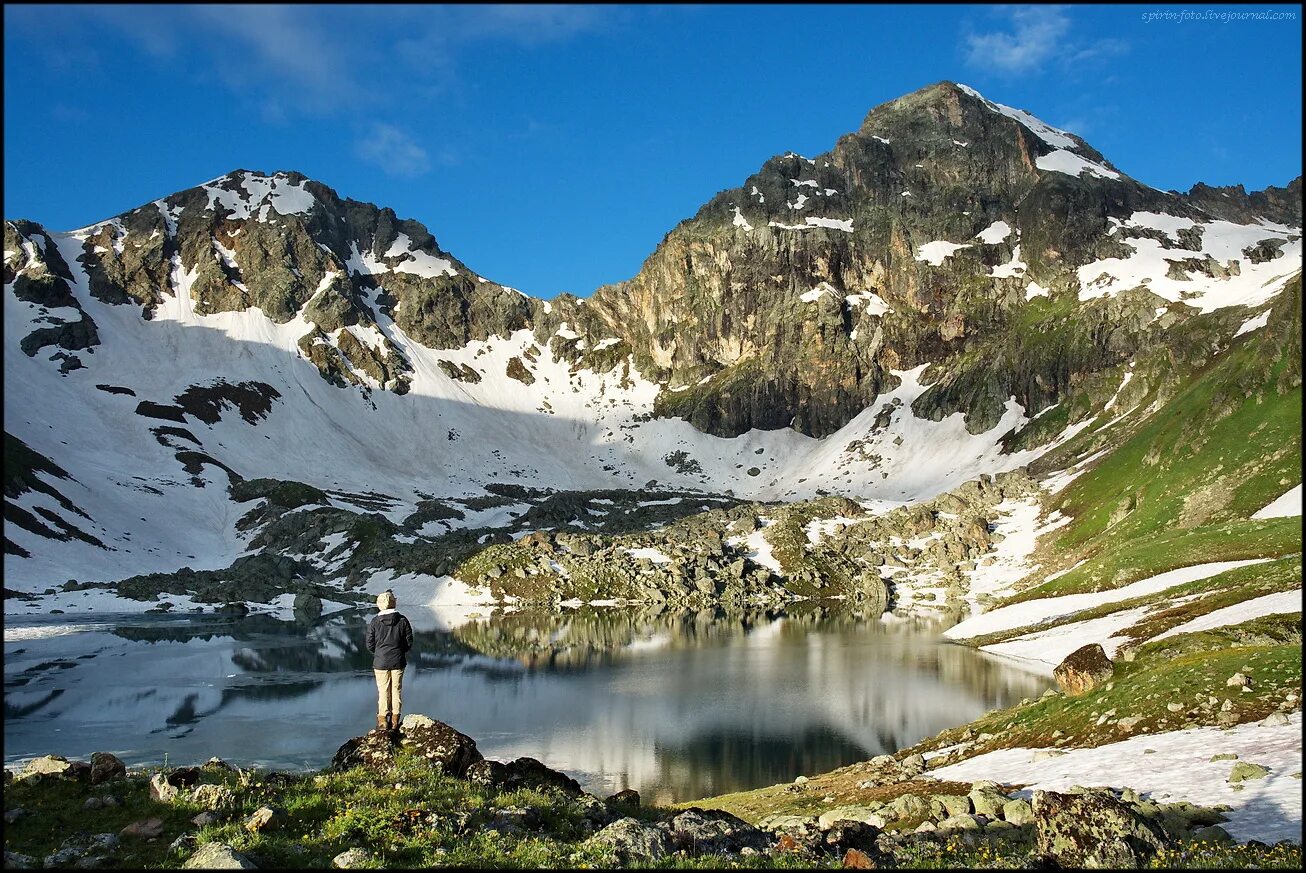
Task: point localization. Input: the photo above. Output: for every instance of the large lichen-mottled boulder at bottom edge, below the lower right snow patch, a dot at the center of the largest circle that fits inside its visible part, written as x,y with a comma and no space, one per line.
1094,831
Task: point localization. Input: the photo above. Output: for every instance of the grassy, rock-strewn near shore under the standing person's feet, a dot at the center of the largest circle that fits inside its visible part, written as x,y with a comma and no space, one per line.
450,802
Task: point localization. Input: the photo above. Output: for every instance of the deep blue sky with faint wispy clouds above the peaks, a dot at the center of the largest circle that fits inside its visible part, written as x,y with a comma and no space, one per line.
550,148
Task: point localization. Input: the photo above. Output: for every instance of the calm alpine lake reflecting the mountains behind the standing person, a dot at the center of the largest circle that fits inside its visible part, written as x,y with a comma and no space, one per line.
677,706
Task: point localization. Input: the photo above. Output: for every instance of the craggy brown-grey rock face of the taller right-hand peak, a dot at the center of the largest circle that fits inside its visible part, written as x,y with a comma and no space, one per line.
919,239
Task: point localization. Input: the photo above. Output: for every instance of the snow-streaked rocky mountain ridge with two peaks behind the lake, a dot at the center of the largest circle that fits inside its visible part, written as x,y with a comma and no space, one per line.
955,289
